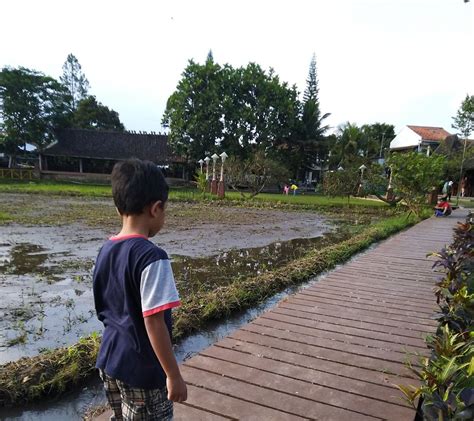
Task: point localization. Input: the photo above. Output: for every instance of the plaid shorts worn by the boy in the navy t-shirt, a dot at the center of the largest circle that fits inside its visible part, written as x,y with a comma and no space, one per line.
131,403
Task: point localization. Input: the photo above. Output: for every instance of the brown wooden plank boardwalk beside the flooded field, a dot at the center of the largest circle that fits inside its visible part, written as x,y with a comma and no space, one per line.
333,351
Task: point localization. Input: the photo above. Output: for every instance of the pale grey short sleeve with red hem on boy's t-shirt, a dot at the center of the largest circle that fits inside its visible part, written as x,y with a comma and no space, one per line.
157,287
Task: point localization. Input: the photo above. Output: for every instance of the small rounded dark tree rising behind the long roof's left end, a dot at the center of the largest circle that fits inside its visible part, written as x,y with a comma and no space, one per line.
91,114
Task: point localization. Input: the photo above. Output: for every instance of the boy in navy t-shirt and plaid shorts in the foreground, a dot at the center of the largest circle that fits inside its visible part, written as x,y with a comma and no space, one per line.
134,292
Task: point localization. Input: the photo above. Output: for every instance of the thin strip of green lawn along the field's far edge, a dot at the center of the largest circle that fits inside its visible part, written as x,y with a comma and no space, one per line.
92,190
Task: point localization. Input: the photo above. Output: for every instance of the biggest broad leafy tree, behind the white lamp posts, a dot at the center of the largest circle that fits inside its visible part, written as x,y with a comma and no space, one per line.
239,110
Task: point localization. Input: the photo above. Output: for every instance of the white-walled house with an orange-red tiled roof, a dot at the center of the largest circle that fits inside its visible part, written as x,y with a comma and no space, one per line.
418,138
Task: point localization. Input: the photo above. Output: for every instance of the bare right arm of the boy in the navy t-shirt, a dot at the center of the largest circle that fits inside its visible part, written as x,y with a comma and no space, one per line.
160,341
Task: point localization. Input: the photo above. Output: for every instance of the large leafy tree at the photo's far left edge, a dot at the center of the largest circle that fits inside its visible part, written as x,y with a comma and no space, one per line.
32,106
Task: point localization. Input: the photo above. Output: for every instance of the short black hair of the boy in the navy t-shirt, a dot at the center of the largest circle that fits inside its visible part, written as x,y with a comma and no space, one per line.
136,184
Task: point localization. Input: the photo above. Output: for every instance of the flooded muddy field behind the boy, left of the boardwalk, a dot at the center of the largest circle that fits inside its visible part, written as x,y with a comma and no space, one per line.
48,247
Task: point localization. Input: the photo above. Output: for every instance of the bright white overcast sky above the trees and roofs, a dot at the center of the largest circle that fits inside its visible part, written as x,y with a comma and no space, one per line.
394,61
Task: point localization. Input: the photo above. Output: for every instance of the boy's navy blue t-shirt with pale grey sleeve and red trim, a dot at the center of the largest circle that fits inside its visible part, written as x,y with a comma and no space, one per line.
132,280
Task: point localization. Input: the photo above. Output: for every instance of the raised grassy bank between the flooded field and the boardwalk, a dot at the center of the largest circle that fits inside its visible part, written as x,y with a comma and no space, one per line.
53,373
